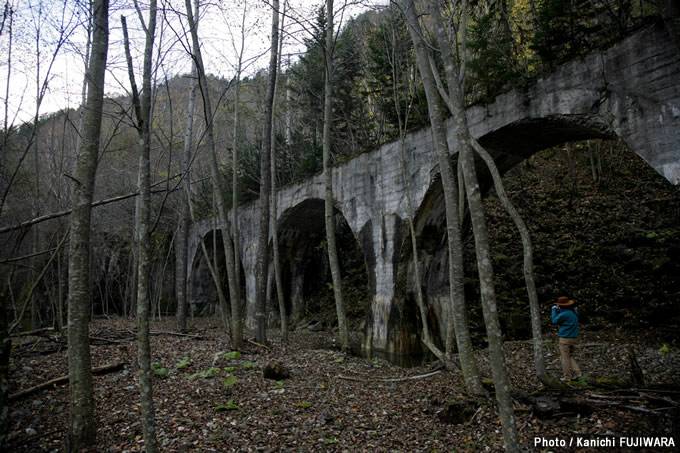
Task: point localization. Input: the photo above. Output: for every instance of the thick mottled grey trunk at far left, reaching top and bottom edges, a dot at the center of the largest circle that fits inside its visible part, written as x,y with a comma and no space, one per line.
82,429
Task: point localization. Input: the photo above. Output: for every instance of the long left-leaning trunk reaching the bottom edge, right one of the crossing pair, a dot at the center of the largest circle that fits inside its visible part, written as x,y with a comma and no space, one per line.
479,228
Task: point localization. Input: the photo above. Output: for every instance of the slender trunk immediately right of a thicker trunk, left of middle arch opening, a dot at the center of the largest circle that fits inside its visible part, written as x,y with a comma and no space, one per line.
275,221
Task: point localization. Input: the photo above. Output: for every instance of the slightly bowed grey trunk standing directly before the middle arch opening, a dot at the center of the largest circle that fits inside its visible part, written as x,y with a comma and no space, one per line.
329,212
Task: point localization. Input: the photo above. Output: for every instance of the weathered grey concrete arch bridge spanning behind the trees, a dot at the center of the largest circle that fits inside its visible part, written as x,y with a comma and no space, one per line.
629,91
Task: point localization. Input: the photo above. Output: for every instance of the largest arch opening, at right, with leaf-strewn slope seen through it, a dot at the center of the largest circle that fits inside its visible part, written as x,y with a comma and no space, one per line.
565,194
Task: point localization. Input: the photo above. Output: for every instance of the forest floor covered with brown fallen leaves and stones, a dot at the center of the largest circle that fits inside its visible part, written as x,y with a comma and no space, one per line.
334,402
